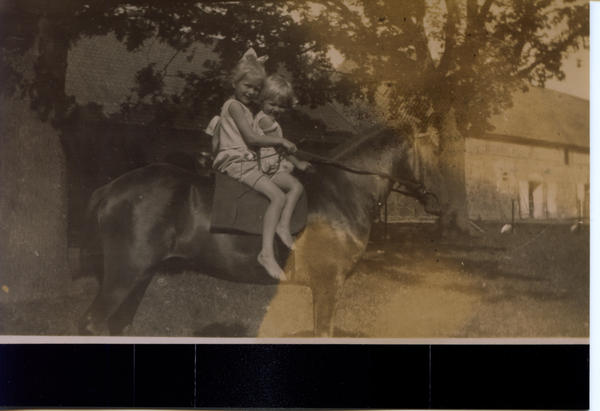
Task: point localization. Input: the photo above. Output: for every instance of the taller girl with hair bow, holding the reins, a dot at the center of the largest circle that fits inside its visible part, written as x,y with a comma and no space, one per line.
234,133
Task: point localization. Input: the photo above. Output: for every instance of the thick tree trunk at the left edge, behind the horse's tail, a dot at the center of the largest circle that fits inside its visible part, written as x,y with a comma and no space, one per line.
33,200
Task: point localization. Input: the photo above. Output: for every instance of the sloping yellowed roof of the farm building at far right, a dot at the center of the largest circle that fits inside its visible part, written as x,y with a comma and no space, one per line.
544,117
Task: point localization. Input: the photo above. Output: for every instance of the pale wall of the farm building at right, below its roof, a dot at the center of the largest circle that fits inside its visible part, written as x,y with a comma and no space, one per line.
544,183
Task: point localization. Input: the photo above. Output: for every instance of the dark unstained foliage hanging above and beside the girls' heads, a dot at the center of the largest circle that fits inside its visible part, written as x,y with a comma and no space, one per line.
230,29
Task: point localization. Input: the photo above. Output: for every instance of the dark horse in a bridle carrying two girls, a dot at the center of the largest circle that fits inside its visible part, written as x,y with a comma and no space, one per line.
161,212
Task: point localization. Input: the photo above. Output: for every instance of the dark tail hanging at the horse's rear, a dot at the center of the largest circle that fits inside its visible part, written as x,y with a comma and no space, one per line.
91,259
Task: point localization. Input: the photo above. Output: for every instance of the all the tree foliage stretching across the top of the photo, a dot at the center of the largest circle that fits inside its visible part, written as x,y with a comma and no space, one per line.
426,55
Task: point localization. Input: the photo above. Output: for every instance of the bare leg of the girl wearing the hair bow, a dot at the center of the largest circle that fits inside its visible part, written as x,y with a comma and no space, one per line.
277,199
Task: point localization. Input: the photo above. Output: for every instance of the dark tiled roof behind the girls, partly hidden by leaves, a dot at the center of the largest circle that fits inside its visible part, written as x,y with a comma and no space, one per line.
101,75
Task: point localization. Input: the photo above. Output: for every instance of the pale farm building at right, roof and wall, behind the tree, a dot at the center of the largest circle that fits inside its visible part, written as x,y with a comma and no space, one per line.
537,160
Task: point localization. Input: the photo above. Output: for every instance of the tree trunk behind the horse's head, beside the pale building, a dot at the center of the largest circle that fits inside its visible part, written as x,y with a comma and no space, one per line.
455,216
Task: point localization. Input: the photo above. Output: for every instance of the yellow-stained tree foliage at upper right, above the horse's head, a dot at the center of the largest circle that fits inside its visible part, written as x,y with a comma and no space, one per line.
469,55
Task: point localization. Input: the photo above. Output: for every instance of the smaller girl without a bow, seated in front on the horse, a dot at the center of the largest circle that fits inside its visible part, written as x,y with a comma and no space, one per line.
275,98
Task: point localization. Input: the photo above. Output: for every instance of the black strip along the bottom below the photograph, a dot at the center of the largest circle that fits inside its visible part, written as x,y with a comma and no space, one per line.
296,376
